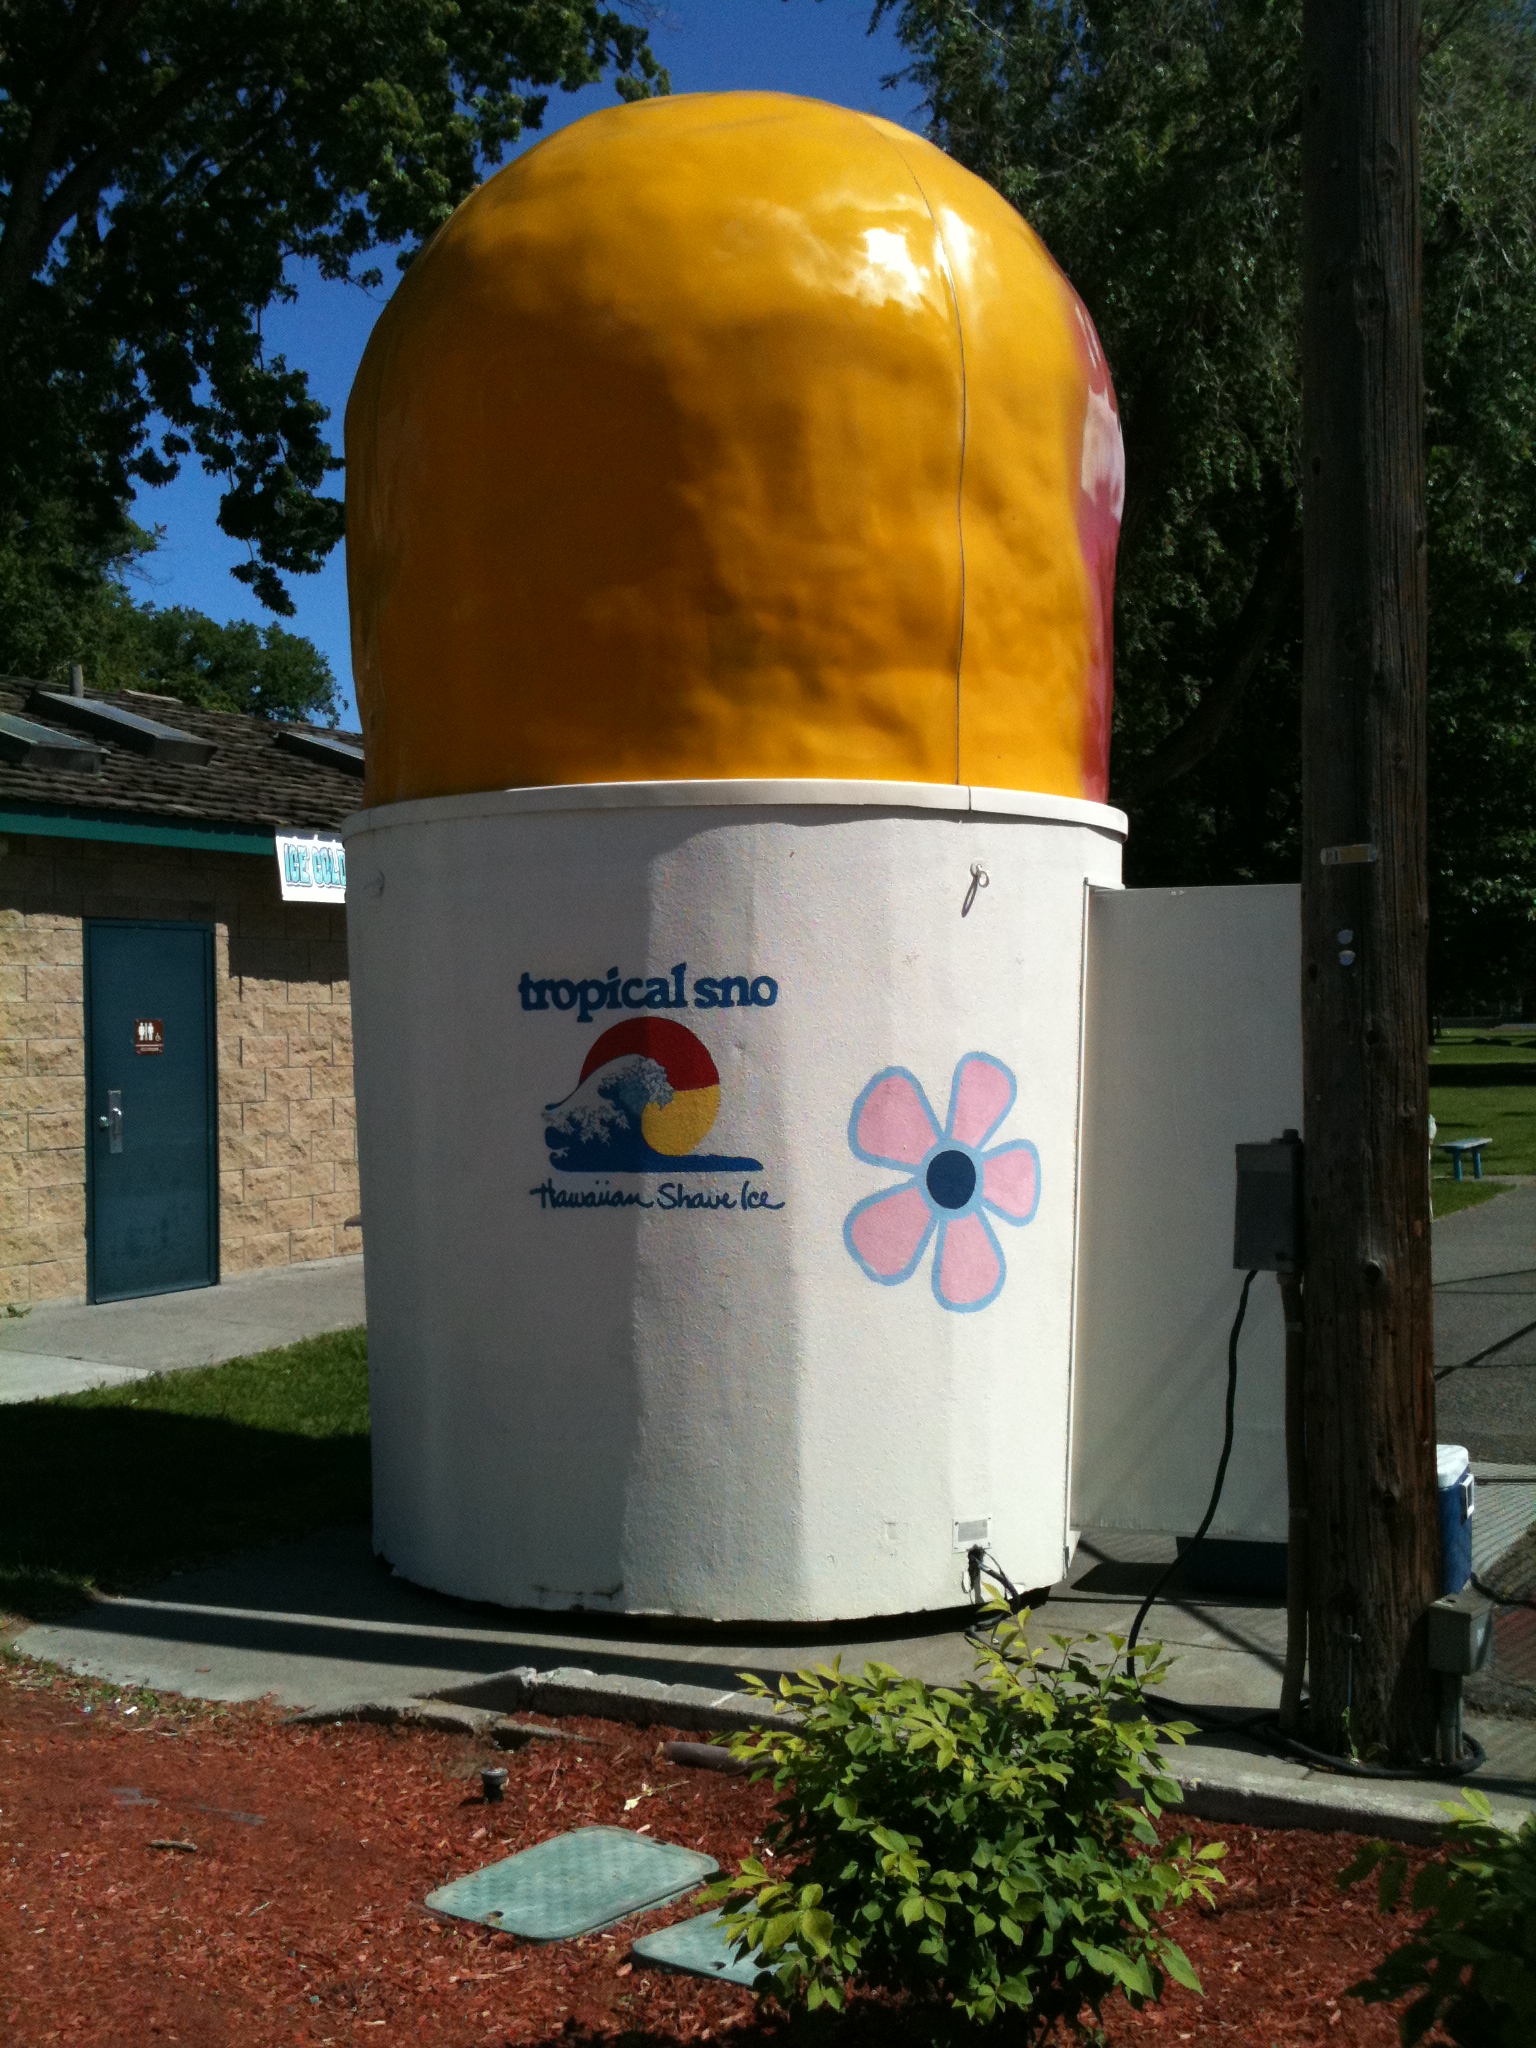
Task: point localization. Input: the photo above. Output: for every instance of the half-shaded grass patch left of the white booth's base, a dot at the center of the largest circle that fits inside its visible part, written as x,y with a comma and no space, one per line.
112,1488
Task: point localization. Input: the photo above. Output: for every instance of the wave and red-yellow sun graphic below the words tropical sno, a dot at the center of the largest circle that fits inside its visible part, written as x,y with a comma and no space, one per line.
644,1103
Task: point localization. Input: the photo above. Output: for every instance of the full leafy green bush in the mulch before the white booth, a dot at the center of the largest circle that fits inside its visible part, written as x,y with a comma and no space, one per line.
988,1848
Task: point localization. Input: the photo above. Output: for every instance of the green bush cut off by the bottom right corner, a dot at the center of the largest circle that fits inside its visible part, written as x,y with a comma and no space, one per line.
1474,1961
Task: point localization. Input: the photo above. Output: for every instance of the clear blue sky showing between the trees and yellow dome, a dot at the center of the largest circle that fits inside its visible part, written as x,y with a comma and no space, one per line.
710,46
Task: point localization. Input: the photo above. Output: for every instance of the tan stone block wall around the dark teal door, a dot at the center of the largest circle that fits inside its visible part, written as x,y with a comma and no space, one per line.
288,1125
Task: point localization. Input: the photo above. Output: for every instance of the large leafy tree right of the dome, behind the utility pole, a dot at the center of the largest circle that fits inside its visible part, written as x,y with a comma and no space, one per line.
1156,146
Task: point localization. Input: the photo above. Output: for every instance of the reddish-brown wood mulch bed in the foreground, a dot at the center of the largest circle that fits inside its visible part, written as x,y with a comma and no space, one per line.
298,1916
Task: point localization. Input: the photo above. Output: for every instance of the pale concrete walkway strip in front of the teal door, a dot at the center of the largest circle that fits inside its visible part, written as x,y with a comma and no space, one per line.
67,1347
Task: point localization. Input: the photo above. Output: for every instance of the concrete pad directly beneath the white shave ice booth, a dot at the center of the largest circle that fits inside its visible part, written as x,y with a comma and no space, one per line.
325,1625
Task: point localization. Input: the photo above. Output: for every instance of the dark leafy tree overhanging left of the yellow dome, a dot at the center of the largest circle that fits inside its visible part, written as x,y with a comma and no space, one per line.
163,163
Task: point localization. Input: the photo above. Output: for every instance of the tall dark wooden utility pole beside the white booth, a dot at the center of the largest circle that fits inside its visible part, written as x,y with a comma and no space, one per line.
1375,1545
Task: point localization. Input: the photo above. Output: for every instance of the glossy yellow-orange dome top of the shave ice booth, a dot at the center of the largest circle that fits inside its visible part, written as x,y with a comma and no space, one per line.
732,435
